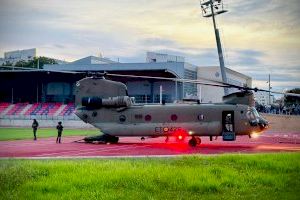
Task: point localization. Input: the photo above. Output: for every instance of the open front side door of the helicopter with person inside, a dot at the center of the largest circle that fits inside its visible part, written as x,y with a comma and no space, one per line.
228,133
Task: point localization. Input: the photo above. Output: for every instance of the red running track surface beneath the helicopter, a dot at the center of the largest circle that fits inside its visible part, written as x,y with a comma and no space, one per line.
268,142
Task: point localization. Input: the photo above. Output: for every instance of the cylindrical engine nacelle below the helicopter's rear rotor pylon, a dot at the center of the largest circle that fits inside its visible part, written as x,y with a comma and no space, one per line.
112,102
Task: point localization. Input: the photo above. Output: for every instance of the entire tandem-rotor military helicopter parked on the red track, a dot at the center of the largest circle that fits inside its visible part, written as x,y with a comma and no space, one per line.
105,104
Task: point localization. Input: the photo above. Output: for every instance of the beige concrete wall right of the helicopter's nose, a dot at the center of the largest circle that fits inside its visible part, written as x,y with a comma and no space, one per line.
283,123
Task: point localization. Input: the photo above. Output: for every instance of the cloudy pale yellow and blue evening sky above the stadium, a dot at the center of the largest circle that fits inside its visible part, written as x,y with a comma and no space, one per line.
259,37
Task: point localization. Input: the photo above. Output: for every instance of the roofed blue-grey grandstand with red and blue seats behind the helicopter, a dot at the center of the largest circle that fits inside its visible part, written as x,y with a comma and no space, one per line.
50,92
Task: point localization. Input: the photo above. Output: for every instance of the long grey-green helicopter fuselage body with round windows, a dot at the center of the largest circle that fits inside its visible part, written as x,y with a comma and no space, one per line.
167,120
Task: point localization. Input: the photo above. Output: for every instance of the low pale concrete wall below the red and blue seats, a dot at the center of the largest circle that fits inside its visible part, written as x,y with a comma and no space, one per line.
72,124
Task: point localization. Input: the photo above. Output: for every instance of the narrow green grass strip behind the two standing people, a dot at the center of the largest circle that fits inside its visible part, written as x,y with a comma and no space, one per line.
26,133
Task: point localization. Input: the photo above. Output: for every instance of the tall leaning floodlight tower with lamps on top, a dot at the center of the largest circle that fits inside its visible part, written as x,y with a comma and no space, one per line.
210,8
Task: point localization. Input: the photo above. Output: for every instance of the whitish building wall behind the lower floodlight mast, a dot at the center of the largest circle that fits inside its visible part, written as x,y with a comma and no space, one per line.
211,94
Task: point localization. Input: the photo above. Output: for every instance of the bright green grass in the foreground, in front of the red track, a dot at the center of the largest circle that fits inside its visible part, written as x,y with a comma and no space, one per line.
261,176
